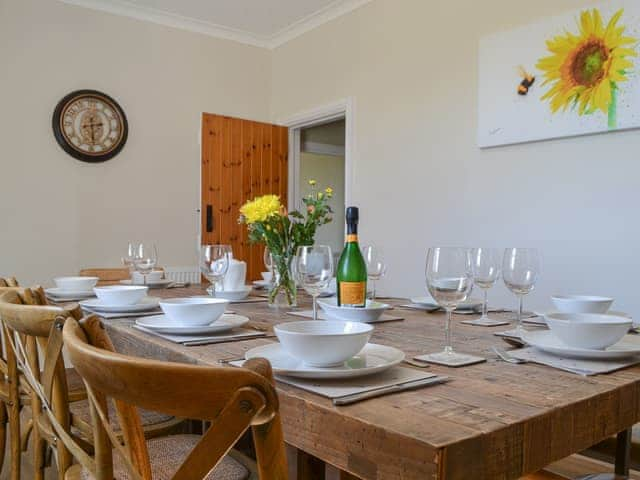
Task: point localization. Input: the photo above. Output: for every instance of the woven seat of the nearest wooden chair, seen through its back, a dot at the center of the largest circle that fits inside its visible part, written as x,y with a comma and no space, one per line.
166,455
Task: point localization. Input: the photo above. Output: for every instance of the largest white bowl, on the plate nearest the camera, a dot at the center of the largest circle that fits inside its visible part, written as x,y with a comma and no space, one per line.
325,343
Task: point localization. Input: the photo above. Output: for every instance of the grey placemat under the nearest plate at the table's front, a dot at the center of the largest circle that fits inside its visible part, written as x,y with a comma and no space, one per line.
351,390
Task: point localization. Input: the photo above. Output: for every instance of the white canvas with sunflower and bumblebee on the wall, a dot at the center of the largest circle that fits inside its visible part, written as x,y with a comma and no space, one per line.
574,74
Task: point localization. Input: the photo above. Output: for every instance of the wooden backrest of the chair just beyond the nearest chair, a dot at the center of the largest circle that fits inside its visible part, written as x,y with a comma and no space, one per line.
31,326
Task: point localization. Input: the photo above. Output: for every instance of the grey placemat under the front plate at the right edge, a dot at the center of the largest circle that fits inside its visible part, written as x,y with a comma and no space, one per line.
577,366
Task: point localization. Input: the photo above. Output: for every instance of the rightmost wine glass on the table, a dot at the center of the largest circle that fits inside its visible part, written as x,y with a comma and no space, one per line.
520,271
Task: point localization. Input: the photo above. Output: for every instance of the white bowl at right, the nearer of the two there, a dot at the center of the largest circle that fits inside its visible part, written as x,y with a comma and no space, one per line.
593,331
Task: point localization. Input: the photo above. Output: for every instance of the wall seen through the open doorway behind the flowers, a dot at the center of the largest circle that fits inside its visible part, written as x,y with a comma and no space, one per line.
327,171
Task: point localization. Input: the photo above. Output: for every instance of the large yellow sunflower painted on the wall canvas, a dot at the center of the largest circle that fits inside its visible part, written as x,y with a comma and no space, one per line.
584,69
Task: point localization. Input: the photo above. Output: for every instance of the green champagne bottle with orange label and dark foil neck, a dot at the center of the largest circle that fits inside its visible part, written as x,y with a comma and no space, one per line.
351,276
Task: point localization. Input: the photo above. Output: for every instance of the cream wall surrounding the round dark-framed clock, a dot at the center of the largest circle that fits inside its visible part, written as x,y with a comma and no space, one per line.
59,214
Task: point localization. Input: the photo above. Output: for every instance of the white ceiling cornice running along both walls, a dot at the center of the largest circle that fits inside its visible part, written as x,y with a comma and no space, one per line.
169,19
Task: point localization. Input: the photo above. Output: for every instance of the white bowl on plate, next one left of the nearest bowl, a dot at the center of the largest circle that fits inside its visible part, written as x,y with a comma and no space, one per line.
194,311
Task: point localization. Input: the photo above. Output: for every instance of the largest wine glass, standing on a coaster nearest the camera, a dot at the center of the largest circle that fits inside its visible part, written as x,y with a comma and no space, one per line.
449,281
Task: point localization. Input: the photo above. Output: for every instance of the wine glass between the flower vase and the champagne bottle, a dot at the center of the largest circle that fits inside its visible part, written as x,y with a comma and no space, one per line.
314,267
